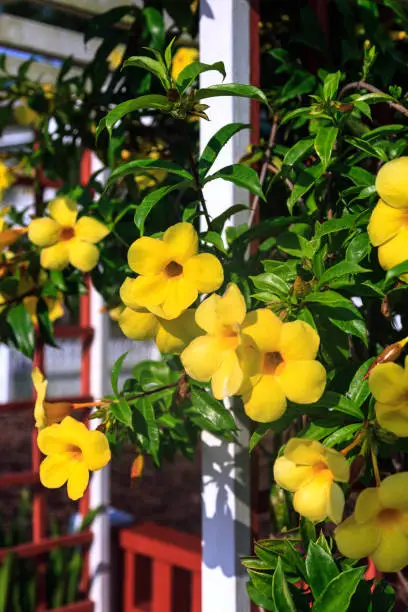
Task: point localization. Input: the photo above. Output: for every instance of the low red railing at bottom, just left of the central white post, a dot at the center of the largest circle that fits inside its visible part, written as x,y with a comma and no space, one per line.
162,569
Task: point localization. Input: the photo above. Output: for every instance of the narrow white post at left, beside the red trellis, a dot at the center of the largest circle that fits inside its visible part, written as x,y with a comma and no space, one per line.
99,559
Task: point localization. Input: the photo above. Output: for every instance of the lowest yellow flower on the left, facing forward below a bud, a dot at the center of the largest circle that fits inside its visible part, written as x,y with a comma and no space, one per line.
72,451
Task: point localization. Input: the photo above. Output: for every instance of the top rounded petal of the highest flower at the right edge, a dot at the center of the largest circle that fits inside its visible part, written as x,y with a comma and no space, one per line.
392,183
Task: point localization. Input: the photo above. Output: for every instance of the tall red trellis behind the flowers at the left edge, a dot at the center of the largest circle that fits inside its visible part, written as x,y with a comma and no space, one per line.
41,545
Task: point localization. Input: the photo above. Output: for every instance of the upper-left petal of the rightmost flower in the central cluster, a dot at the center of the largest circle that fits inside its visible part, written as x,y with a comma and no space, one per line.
264,328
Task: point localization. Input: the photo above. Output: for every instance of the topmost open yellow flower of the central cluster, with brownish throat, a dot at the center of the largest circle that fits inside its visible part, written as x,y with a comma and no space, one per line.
171,274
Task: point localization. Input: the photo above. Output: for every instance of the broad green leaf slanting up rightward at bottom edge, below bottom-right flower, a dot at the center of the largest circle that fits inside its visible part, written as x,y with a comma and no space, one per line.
337,595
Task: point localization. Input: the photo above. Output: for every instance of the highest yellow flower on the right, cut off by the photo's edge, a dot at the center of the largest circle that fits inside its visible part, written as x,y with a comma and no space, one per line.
388,226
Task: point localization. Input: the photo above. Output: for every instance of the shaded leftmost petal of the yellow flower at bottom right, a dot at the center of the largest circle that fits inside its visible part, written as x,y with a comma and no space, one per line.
356,540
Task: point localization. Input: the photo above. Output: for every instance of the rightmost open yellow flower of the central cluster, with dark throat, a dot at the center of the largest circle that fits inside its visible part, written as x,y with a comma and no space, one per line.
288,369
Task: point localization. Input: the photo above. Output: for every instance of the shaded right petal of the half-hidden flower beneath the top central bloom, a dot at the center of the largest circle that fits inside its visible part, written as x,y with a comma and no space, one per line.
174,335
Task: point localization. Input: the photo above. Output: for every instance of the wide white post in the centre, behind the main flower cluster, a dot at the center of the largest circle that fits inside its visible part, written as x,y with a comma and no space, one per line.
226,529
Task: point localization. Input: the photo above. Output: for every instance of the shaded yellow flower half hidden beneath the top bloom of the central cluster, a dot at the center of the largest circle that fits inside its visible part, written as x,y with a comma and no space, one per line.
171,336
